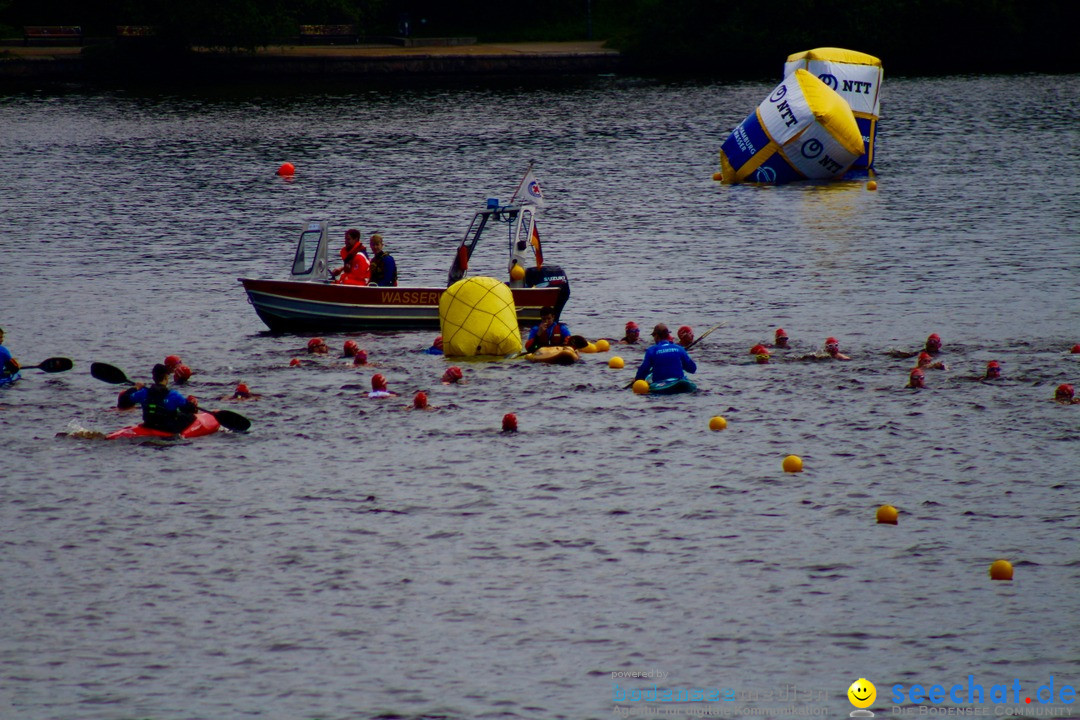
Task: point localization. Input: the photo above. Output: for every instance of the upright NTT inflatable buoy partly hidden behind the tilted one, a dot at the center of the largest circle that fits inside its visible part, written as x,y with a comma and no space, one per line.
857,77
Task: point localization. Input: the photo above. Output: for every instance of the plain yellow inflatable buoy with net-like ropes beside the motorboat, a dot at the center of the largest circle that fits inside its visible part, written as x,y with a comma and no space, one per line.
478,318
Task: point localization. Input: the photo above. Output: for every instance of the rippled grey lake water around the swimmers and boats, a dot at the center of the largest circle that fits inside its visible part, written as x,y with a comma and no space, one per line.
349,559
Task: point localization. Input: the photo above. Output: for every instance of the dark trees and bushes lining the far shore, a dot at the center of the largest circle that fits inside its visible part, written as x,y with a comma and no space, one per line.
737,38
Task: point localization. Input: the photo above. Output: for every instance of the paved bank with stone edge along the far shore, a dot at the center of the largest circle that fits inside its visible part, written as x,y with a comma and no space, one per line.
63,64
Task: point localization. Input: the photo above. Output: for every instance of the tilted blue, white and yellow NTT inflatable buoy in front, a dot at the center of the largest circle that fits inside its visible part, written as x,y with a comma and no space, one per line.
803,131
